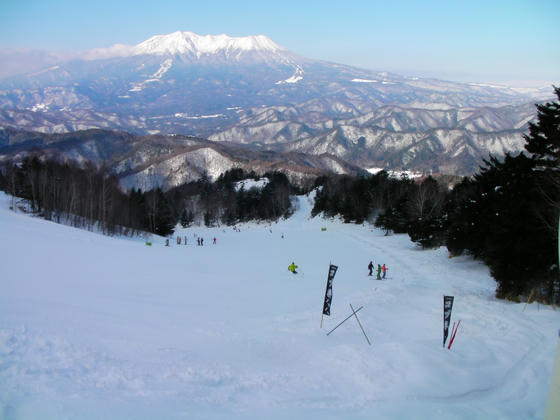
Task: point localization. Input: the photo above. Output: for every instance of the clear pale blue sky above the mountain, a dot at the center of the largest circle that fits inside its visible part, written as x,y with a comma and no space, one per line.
488,40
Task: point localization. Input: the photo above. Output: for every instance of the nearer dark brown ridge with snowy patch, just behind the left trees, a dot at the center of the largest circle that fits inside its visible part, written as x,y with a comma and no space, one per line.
166,161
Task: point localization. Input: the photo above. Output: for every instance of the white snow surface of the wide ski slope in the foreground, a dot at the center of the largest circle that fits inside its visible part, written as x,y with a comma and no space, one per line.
93,327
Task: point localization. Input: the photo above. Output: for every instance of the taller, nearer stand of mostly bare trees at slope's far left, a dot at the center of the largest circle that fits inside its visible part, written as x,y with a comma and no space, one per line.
84,196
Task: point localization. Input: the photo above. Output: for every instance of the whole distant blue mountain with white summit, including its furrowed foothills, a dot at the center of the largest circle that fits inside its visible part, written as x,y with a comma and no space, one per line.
251,90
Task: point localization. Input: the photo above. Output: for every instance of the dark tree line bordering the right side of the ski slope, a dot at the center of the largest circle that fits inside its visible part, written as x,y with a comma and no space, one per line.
506,215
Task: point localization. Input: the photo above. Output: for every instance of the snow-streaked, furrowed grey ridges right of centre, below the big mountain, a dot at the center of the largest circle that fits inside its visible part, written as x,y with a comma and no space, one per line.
442,140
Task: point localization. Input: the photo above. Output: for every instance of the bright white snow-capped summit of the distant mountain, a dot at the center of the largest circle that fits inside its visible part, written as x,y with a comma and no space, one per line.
189,43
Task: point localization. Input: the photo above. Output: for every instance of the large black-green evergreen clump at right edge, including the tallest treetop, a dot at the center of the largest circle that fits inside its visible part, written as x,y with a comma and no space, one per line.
508,215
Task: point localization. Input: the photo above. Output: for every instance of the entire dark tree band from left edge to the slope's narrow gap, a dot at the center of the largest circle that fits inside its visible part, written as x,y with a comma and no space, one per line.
88,197
